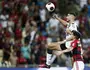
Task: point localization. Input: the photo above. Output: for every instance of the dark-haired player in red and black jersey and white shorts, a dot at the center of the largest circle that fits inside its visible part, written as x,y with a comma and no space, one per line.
76,49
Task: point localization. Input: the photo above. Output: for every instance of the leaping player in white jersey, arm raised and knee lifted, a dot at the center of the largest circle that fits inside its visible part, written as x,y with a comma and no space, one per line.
70,25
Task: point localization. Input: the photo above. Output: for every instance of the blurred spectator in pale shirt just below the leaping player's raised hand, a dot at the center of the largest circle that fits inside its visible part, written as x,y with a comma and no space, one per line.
53,28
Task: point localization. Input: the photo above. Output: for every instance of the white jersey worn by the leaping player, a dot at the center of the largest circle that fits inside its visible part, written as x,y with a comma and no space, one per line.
73,26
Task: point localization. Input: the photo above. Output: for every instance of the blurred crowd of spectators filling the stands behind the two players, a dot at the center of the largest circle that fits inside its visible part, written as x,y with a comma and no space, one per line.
26,27
